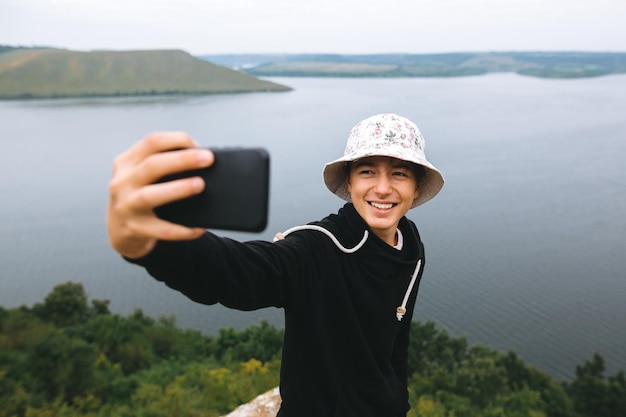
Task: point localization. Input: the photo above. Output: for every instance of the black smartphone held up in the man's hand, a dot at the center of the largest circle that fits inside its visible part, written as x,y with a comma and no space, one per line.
235,197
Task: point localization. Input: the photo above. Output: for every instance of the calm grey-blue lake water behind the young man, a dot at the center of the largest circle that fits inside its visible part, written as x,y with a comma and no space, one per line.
525,245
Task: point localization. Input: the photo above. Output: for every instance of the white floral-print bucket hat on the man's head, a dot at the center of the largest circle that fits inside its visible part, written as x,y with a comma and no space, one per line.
385,135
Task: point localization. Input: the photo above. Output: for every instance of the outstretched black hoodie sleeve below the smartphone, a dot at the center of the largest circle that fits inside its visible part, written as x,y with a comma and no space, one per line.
212,269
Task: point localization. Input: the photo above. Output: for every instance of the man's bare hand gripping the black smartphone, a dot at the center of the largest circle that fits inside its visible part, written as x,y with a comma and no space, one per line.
133,227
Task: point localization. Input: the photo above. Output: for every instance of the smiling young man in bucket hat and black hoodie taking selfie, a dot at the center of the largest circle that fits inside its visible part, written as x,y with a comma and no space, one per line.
347,283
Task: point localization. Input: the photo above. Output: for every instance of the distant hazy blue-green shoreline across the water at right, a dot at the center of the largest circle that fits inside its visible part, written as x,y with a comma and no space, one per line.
535,64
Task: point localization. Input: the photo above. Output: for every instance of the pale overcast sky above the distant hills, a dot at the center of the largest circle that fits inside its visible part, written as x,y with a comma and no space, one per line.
335,26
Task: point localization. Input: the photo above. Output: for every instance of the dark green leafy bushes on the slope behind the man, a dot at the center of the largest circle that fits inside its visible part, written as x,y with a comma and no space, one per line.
70,357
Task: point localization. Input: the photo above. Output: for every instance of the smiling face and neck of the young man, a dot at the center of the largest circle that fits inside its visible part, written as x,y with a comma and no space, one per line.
382,190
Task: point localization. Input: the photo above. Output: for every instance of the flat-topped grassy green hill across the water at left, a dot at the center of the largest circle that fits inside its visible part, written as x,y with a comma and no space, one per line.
52,73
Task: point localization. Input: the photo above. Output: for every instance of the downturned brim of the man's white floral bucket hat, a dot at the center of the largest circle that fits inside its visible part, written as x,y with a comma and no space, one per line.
335,175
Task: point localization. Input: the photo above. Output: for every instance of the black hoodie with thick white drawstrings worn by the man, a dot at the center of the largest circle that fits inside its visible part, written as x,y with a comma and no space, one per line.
345,347
